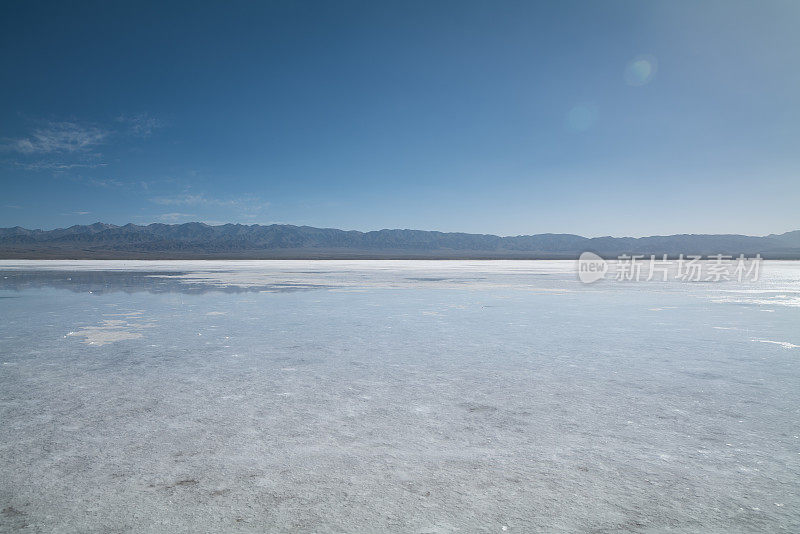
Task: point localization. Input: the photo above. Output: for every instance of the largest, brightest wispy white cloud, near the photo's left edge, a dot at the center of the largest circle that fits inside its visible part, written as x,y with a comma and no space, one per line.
59,137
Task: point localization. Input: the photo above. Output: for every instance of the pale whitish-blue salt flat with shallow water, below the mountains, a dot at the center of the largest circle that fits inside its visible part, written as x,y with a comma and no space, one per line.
395,396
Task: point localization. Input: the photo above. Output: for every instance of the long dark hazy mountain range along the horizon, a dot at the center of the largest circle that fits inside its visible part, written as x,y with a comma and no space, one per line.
198,240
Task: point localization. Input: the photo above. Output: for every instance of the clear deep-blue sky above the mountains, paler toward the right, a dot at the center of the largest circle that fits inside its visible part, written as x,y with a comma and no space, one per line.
504,117
